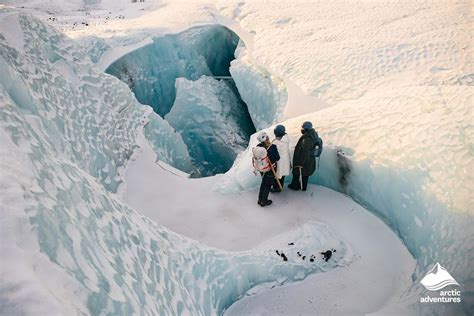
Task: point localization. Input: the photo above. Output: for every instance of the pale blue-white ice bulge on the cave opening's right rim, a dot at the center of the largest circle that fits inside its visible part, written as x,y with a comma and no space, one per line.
264,94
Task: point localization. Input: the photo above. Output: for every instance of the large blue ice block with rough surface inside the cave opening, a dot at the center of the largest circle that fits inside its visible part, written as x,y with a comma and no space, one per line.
213,122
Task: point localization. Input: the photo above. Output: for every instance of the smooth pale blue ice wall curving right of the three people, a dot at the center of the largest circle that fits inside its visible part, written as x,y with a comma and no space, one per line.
432,232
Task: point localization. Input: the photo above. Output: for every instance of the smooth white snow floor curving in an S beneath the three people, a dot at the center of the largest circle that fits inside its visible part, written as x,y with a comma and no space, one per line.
219,221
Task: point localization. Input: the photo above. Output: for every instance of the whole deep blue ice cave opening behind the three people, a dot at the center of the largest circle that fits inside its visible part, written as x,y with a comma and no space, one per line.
185,78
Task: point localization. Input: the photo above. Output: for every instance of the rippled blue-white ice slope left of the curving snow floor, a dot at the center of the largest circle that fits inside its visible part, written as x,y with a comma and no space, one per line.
69,244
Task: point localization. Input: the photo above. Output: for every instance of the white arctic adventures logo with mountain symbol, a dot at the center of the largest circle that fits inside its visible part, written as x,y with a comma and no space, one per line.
435,280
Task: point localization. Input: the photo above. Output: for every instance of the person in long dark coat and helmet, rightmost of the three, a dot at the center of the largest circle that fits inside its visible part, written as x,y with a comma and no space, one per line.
308,148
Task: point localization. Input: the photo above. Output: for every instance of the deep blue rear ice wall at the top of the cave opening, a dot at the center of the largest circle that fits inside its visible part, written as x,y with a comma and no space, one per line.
151,71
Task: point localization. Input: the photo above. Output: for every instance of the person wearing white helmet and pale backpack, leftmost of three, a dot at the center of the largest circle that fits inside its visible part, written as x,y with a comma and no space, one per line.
265,157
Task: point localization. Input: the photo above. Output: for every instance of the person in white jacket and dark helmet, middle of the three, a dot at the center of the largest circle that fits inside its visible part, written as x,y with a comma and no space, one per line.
282,141
